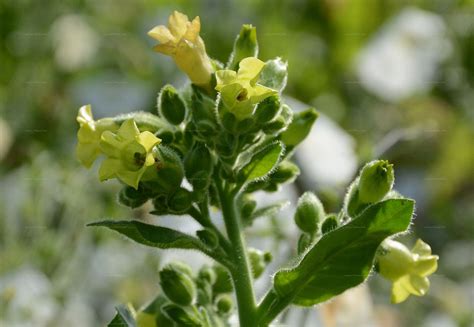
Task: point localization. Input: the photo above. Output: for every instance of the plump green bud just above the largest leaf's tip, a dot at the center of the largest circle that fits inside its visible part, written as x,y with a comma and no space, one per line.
376,180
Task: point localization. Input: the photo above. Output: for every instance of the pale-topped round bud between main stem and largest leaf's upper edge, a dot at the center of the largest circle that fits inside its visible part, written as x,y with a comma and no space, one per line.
309,212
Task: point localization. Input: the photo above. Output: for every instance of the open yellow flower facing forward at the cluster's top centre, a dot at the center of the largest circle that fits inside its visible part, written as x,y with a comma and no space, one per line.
239,90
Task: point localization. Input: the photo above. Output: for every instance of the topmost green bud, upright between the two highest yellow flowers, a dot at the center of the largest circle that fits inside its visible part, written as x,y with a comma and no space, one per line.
245,45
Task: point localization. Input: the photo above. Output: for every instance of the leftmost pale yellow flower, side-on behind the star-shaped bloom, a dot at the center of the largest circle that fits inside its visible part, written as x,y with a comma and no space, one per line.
89,134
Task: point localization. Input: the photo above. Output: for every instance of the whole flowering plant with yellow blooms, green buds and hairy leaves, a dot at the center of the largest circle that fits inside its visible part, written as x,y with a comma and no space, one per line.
214,143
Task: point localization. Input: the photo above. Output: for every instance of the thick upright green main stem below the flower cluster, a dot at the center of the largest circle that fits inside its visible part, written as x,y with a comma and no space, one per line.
241,274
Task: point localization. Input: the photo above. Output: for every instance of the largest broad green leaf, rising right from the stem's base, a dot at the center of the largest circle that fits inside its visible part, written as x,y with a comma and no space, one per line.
343,258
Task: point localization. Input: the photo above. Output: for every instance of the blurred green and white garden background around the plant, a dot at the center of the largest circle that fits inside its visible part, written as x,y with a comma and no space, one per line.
396,75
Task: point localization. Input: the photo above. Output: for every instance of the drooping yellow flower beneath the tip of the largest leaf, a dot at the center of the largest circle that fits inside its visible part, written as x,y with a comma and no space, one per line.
408,270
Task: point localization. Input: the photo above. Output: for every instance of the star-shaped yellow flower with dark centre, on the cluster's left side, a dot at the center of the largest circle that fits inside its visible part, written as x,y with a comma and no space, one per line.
128,152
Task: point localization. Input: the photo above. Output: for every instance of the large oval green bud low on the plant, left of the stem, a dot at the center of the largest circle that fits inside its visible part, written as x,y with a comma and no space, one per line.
178,286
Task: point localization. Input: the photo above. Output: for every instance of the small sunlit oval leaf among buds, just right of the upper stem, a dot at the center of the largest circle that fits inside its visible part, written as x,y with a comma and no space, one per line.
262,163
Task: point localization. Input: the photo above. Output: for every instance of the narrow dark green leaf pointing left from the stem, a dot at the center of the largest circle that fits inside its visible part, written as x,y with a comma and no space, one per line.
151,235
